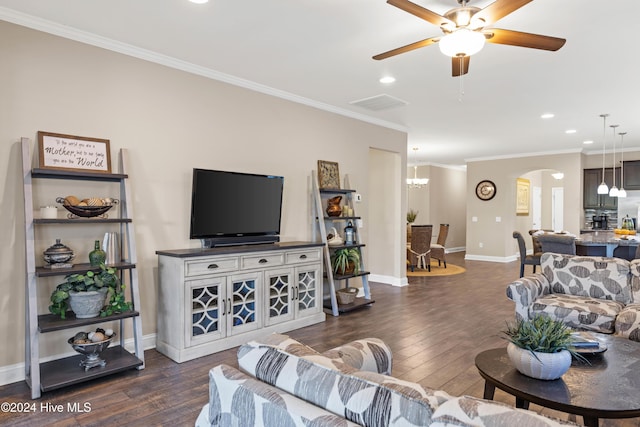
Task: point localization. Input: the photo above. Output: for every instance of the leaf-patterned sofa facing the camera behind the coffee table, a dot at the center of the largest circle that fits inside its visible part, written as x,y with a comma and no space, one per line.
591,293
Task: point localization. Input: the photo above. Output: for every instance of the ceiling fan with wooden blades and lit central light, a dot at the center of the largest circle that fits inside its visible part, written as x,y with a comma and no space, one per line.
465,33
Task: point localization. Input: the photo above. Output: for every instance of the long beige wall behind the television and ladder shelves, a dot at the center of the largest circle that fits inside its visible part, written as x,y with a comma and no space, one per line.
170,121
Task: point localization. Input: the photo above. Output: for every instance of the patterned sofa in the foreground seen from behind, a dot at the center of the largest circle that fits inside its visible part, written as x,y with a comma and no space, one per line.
286,383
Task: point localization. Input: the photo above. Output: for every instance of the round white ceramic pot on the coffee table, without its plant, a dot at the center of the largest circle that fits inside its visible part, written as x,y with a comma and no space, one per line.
542,366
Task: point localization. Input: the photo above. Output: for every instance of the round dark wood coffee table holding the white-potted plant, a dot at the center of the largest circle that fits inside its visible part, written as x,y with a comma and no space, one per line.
608,388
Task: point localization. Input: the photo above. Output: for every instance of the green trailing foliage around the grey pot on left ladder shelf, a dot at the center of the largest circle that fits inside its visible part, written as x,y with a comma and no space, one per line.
107,278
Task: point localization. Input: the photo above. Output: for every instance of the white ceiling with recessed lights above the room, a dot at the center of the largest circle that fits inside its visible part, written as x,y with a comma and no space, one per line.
319,52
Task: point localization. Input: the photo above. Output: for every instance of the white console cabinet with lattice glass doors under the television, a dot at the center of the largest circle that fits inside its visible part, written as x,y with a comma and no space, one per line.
213,299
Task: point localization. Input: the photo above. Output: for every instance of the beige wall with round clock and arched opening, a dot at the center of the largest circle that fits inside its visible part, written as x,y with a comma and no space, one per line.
490,240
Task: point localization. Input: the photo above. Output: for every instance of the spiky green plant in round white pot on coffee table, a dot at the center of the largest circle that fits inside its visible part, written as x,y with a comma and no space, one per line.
541,347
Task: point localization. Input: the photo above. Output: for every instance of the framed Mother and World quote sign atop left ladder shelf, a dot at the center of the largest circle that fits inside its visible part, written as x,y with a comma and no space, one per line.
74,153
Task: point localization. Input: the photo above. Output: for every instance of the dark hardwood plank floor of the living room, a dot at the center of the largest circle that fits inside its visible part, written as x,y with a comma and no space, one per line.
435,328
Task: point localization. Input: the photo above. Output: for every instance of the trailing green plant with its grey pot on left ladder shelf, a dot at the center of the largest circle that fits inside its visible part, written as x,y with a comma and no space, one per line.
90,294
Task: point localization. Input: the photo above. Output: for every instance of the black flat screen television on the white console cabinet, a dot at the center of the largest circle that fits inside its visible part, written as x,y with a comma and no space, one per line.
233,208
